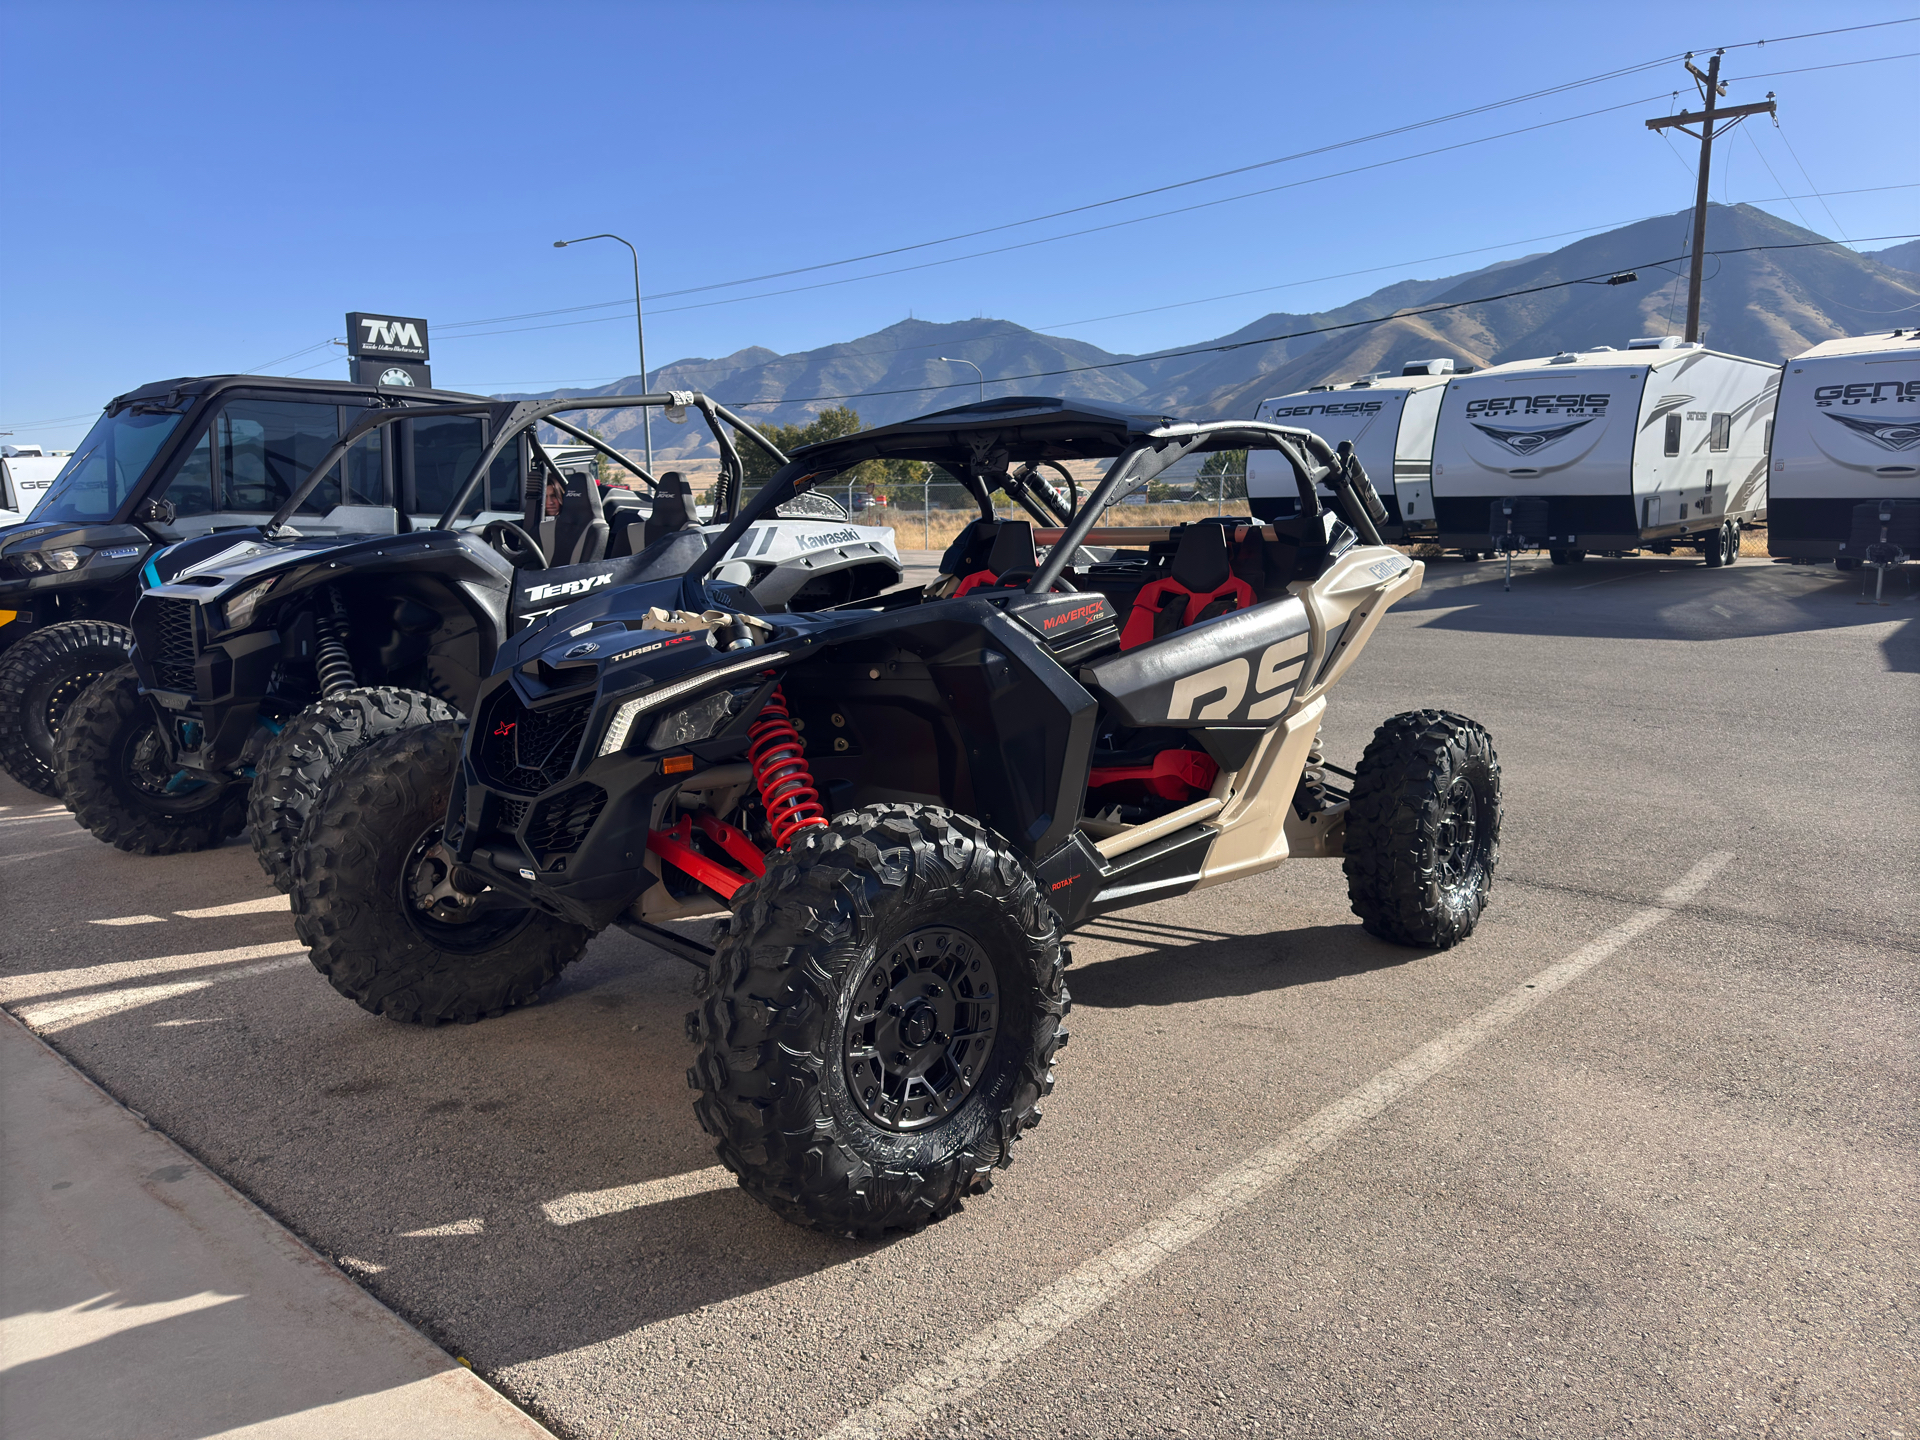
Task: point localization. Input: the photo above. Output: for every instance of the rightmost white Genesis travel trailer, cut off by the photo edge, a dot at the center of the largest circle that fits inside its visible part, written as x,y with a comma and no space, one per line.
1848,433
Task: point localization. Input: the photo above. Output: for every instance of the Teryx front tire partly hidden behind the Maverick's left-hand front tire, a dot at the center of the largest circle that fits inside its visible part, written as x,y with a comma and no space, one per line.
318,742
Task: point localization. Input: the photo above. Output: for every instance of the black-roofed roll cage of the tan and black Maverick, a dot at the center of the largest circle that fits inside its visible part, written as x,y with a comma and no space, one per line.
1003,443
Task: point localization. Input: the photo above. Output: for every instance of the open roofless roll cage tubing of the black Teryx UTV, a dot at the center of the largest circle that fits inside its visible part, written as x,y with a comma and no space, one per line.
510,420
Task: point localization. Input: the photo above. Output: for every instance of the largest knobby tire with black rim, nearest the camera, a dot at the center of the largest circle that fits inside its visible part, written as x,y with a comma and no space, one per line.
898,955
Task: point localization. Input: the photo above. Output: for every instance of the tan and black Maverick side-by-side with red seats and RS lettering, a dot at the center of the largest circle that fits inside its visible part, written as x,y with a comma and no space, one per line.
903,805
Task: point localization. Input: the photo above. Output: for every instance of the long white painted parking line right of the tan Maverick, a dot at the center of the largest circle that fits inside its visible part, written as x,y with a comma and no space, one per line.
978,1362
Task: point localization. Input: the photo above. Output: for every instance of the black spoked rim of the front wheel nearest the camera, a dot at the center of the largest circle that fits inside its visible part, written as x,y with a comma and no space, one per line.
921,1028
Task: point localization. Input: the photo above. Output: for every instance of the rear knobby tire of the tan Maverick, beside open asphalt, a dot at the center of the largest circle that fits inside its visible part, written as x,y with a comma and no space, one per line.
1424,830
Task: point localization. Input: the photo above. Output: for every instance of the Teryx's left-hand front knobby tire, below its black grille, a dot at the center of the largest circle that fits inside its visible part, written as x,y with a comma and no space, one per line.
114,777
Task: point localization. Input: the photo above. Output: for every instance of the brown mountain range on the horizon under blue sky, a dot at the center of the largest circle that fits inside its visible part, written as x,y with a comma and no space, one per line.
1773,291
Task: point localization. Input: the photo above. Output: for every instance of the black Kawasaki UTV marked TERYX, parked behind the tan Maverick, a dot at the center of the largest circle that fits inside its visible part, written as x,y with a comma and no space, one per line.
268,656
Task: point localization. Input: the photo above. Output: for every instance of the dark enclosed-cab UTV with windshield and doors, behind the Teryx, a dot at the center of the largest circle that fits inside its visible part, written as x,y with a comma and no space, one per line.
172,462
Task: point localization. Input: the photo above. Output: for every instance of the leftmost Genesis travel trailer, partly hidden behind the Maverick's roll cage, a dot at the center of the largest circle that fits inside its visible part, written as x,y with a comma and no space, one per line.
1391,421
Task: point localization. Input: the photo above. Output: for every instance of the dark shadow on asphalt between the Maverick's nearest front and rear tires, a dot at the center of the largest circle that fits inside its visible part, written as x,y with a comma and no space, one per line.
1182,971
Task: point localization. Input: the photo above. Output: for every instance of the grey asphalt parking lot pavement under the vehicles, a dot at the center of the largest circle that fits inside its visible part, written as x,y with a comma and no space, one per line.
1635,1161
